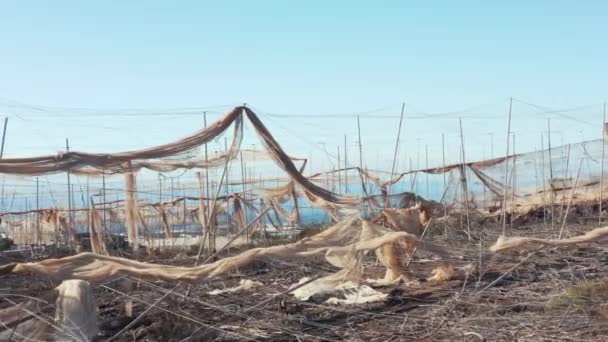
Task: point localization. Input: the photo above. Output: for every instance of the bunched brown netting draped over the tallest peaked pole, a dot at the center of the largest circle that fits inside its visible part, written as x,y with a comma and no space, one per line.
158,158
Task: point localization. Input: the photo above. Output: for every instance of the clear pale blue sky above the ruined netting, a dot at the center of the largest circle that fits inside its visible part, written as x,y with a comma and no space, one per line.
75,68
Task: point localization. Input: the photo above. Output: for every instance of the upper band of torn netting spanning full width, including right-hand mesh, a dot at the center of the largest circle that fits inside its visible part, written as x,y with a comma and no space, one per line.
526,180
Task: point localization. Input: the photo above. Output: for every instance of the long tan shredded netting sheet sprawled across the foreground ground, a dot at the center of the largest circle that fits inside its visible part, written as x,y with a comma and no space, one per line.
341,245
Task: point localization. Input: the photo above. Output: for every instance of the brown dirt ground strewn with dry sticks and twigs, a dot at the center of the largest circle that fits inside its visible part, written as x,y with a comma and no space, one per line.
541,295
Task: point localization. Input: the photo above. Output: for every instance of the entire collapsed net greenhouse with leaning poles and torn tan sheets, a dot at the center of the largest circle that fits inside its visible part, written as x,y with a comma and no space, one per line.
230,222
